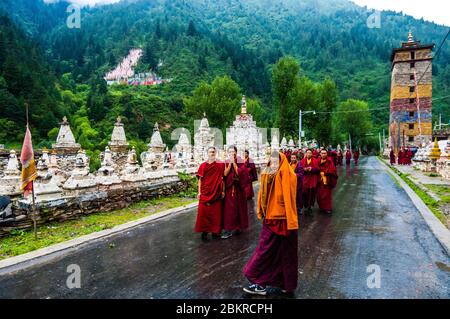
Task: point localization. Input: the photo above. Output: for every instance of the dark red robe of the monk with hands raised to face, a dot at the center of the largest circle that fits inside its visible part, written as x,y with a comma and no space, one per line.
235,215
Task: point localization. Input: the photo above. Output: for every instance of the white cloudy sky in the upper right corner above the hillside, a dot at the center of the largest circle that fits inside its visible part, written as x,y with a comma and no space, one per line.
431,10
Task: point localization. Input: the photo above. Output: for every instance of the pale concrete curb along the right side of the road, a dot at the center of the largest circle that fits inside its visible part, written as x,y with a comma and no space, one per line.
441,233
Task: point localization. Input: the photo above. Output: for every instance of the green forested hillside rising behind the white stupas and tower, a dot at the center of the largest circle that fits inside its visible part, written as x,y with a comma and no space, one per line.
199,41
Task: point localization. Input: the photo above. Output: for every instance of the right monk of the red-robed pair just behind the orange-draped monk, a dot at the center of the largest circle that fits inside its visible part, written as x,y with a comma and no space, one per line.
327,181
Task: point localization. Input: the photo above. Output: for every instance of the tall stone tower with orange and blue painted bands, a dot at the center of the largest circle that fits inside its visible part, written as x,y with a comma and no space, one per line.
411,95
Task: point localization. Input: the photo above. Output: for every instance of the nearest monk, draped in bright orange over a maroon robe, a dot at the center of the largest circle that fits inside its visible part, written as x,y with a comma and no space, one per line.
275,260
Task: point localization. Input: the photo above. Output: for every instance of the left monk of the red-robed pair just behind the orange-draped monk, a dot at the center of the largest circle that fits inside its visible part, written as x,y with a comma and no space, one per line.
310,173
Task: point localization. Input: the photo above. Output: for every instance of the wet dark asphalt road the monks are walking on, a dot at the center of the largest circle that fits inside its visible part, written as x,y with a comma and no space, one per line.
374,222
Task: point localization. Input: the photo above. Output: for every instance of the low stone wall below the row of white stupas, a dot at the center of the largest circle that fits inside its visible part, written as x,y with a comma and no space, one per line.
72,207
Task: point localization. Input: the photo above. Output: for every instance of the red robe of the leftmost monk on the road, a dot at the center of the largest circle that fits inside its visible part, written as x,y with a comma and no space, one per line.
209,217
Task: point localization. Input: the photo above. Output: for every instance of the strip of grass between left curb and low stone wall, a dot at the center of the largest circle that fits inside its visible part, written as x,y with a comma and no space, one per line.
23,241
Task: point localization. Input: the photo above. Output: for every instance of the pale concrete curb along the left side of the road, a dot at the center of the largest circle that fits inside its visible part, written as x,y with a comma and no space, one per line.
20,260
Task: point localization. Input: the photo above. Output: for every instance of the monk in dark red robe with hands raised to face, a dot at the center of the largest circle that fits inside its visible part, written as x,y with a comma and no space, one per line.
235,215
